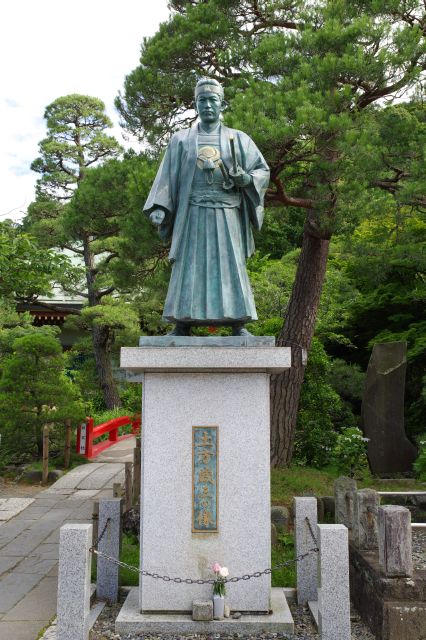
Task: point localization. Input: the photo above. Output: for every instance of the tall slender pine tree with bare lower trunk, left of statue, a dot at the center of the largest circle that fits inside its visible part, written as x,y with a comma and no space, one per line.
79,207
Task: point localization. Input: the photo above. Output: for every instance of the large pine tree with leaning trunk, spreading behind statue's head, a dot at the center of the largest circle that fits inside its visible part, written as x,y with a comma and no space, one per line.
307,81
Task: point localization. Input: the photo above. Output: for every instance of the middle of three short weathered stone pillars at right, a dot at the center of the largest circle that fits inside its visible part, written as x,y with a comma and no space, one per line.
365,530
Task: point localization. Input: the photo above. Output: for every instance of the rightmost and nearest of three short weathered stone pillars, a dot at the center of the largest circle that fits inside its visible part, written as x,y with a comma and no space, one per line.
395,539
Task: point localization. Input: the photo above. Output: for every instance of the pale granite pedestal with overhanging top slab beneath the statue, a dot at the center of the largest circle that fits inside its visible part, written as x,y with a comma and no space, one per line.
205,386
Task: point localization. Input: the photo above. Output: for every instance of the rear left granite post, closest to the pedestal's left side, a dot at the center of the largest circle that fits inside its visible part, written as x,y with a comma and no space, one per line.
107,573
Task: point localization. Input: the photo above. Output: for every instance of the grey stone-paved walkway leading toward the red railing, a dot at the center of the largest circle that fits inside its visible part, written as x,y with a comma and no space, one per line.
29,543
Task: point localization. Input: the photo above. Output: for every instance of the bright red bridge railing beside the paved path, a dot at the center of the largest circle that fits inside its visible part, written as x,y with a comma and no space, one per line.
87,432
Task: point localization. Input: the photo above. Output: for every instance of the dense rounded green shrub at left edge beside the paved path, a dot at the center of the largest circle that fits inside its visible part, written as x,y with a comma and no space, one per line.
34,391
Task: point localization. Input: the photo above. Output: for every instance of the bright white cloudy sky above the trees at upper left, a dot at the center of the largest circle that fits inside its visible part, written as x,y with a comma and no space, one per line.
52,48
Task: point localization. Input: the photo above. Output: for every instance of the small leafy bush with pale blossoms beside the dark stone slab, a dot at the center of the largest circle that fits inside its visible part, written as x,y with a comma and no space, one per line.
350,453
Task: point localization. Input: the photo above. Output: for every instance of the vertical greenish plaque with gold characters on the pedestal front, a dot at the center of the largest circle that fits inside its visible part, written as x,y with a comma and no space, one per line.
204,479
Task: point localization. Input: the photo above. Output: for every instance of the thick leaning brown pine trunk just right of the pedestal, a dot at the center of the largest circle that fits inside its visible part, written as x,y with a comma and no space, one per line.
297,333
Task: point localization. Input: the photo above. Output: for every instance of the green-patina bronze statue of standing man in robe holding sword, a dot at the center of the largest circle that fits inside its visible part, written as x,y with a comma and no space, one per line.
207,196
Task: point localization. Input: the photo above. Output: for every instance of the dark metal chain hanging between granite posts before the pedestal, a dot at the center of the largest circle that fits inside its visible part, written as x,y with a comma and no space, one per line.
247,576
